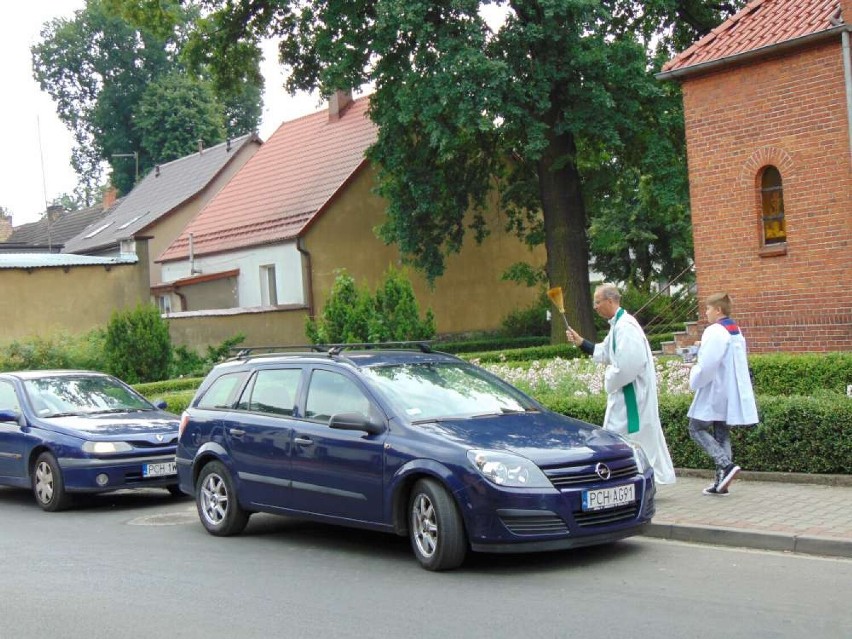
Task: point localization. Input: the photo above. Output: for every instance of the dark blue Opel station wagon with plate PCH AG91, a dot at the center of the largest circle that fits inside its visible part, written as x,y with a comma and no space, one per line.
410,442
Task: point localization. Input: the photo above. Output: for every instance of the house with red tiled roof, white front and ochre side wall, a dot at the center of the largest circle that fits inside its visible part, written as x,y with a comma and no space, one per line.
263,254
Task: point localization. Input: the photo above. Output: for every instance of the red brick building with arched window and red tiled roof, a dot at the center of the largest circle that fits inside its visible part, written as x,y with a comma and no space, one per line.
768,114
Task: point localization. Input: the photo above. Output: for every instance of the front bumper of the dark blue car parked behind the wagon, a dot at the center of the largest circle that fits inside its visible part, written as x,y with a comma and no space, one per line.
81,474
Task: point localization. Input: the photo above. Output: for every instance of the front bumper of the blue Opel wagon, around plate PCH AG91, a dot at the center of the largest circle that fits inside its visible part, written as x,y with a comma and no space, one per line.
515,520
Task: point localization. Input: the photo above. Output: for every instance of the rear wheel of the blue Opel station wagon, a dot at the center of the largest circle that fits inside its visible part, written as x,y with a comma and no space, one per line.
216,500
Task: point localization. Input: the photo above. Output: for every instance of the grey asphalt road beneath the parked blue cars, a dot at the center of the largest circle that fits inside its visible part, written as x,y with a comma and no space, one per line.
140,565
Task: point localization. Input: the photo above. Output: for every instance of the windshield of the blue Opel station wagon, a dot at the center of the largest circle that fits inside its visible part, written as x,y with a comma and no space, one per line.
434,391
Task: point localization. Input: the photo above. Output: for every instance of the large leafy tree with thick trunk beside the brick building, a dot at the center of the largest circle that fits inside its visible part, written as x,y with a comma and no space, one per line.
556,105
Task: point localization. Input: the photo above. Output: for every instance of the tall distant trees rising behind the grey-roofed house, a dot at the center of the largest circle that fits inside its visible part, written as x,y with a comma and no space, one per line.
113,85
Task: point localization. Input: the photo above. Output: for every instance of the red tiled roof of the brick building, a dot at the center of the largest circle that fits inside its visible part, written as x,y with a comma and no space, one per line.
761,23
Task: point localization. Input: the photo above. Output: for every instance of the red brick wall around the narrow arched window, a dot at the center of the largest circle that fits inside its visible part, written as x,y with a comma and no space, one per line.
789,112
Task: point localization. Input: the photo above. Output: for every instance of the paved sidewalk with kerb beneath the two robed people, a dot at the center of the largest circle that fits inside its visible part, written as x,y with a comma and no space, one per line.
768,511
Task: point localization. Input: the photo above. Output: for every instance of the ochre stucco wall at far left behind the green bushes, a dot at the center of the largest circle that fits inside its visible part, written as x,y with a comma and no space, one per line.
72,300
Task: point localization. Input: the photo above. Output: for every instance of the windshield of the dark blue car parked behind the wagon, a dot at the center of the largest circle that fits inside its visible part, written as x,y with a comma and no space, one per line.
60,395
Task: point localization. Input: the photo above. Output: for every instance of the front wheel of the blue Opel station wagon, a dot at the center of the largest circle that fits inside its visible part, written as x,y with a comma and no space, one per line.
435,527
